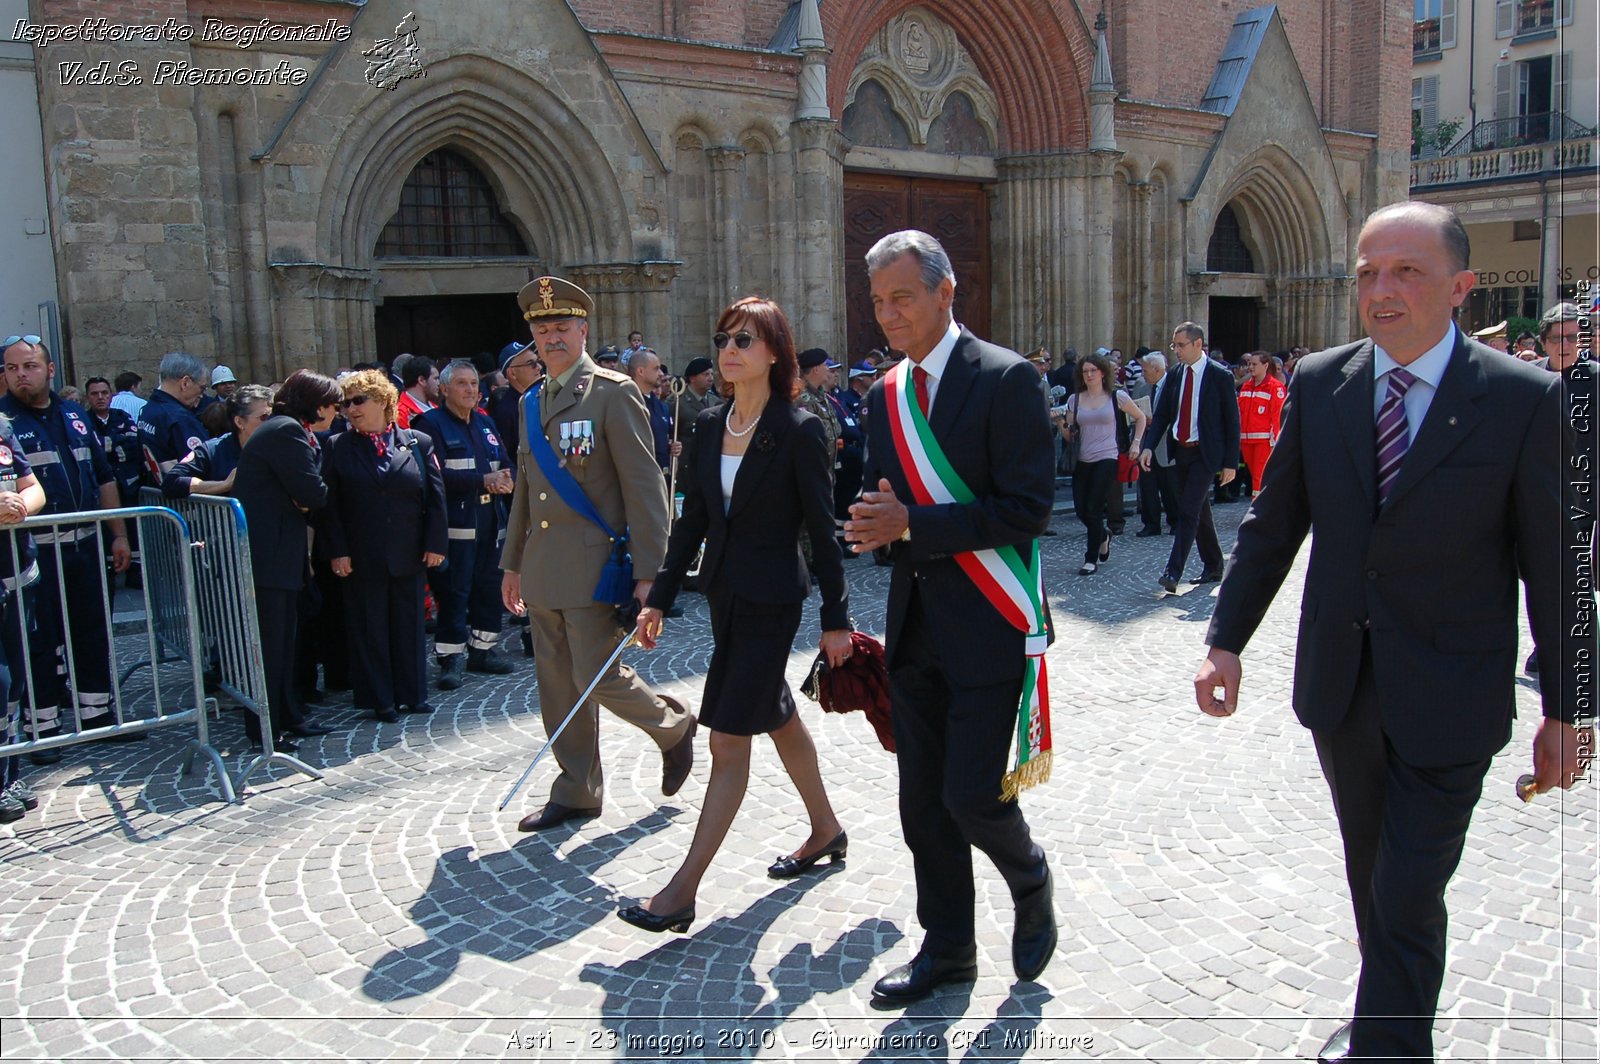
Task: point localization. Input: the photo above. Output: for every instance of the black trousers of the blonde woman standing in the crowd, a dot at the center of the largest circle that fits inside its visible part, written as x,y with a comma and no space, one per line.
385,617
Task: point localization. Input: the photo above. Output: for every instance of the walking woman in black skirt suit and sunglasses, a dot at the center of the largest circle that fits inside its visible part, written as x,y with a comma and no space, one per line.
761,476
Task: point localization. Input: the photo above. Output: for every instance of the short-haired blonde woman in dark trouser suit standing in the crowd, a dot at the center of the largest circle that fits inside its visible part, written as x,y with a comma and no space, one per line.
383,526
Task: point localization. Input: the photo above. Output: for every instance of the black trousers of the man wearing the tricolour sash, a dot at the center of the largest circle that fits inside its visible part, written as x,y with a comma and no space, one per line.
951,745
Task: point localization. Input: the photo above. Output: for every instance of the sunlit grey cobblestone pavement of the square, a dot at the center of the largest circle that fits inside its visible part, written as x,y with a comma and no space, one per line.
390,913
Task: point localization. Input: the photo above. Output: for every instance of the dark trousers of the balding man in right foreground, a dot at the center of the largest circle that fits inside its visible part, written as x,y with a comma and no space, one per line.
1404,831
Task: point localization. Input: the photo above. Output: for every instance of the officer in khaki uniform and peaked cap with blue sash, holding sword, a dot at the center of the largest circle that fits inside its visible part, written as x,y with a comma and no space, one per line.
590,423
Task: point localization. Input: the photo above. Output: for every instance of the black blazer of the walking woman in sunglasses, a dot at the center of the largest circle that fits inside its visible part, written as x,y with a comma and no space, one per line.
754,550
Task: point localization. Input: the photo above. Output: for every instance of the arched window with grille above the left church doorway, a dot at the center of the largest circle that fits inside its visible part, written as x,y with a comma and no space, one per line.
449,210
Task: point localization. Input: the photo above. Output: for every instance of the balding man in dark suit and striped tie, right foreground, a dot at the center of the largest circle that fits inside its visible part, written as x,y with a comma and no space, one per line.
1428,470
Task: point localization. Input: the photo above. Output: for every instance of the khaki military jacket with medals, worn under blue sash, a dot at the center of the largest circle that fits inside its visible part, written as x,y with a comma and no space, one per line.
598,426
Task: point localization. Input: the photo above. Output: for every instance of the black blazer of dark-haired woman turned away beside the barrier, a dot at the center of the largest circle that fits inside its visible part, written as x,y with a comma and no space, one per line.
278,476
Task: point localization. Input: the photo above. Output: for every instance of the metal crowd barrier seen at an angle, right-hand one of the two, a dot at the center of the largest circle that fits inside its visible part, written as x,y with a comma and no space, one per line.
225,610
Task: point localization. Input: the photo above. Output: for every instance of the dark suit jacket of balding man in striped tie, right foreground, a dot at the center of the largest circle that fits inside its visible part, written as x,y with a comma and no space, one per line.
1433,578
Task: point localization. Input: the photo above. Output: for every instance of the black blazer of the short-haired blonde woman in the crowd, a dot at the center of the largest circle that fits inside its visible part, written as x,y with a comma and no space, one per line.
383,522
